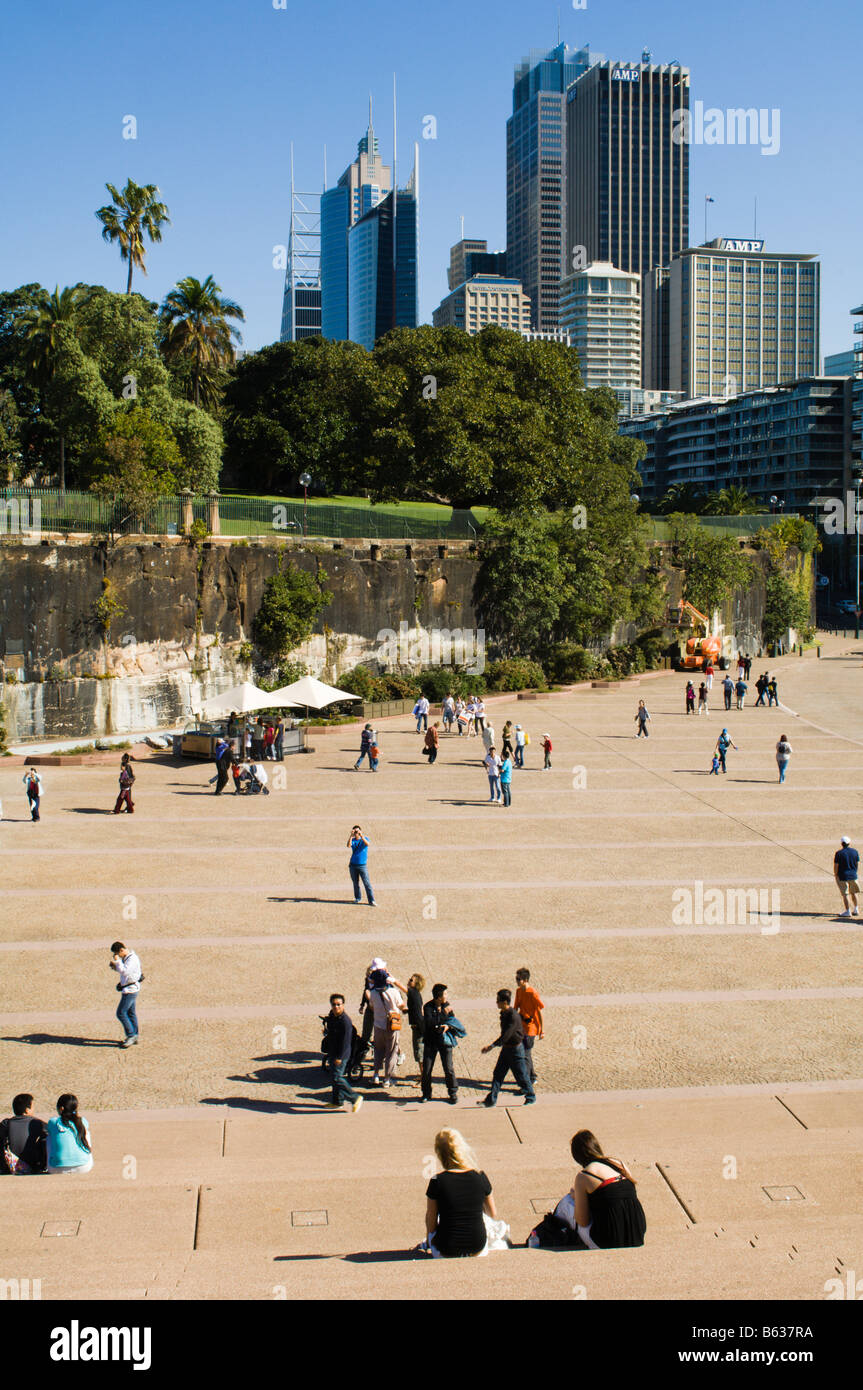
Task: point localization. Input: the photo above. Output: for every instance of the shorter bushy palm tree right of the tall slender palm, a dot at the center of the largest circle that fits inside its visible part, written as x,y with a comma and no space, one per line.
195,327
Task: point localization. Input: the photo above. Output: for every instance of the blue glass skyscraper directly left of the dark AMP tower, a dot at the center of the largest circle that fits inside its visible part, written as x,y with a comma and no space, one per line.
536,169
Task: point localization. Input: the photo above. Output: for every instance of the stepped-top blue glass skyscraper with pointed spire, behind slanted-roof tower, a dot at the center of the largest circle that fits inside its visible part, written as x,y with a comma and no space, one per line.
359,191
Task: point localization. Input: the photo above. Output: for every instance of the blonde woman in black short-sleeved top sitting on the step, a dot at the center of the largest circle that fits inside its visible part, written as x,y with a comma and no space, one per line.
457,1200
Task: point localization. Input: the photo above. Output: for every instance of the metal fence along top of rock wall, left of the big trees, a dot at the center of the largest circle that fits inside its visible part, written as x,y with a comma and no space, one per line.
30,511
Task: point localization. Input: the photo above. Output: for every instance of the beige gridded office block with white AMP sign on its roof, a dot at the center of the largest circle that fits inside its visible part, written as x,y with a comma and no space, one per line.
741,319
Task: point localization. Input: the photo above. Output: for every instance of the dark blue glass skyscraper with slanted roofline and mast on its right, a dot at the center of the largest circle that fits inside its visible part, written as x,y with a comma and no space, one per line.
383,250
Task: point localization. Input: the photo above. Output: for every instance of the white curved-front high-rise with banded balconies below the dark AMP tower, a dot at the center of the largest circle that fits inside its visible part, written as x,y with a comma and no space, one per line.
601,309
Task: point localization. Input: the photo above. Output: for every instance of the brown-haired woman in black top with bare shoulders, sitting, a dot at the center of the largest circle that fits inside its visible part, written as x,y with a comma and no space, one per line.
608,1211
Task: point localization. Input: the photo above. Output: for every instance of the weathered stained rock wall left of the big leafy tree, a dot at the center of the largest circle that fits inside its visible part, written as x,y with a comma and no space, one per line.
181,615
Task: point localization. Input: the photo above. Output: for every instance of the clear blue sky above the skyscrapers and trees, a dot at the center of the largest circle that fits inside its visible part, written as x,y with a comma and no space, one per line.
220,90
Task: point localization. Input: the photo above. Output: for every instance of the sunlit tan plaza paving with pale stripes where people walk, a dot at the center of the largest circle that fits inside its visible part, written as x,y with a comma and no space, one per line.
684,1045
